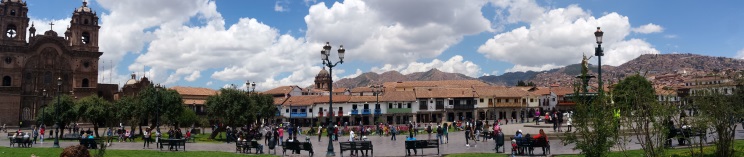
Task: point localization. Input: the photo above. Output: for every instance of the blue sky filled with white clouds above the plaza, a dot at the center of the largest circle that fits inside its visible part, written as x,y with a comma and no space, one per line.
216,43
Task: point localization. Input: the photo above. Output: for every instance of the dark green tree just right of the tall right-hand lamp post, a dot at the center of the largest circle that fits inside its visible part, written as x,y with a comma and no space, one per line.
643,114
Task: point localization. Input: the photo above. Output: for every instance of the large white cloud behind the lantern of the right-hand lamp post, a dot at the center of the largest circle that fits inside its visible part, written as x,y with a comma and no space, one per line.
559,36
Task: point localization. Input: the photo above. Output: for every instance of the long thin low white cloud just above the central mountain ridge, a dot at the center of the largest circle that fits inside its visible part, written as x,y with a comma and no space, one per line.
456,64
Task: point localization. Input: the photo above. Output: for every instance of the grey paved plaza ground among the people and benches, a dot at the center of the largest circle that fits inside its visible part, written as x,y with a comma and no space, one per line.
383,146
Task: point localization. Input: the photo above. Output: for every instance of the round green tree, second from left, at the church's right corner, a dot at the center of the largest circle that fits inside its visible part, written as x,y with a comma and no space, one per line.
95,110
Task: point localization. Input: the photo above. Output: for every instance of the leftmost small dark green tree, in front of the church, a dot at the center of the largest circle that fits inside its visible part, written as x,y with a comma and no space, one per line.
67,112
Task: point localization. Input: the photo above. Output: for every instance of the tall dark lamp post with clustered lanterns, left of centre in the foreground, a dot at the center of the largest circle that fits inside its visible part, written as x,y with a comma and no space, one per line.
328,63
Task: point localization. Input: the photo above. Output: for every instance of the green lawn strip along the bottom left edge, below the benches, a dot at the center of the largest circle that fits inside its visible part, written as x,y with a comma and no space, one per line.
50,152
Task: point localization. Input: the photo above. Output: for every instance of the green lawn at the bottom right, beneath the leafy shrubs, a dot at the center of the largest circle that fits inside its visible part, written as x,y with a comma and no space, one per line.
681,152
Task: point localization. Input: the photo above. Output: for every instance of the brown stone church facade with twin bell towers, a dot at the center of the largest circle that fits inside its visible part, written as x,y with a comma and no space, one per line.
31,67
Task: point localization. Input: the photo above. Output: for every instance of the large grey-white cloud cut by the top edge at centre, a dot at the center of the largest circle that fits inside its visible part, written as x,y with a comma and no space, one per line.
394,32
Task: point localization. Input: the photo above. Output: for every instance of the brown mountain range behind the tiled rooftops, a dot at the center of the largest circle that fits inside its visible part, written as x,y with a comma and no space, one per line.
653,64
